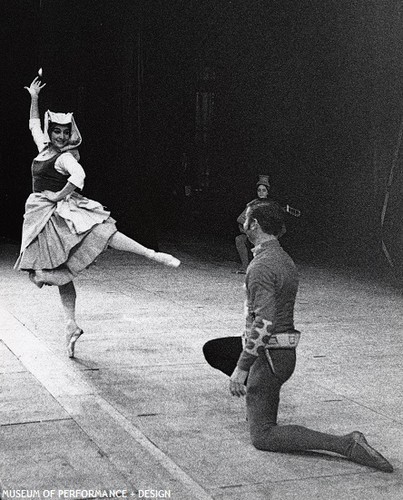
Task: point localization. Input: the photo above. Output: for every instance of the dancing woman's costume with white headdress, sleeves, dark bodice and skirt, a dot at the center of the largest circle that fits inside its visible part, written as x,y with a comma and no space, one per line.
61,239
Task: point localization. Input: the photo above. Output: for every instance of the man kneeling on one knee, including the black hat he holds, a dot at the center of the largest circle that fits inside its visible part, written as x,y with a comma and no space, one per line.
266,359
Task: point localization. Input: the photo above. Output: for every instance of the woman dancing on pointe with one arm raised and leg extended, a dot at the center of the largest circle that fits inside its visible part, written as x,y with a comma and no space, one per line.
64,232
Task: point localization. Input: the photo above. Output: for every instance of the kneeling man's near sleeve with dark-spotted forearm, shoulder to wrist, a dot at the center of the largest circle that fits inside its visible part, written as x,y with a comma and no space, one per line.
261,315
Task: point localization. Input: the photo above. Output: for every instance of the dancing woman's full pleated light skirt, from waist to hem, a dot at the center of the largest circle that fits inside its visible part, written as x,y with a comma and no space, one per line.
67,236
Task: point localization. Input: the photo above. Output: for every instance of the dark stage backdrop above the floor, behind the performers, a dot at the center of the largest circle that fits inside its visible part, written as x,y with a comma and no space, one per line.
199,97
